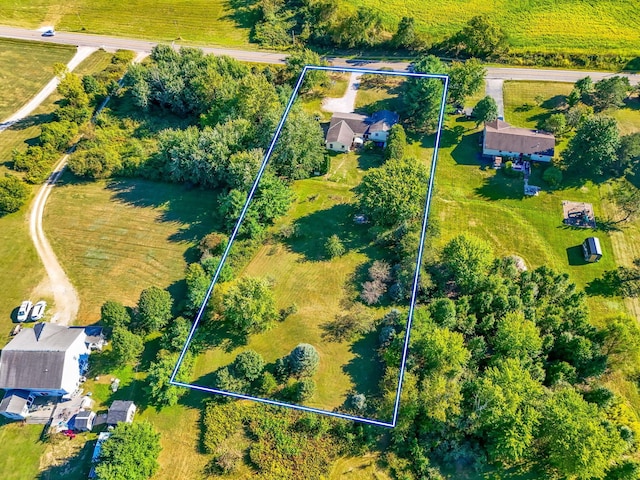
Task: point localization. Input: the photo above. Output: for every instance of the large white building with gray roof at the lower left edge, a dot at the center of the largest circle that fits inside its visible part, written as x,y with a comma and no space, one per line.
46,360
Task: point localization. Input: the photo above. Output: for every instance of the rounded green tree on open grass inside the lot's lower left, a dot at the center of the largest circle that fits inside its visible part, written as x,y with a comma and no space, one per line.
249,305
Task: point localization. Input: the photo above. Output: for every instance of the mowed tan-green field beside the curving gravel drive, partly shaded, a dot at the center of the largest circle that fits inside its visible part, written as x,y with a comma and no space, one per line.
117,238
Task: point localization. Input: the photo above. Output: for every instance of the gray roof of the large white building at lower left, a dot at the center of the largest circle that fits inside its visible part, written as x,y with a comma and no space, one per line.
35,359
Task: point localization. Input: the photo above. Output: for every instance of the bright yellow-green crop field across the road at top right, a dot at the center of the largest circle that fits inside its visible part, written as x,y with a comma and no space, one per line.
584,26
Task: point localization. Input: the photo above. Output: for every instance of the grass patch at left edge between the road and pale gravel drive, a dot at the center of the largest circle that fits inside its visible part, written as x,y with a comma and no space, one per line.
26,67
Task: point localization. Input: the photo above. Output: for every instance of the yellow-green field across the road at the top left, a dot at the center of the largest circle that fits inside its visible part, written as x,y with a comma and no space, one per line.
194,21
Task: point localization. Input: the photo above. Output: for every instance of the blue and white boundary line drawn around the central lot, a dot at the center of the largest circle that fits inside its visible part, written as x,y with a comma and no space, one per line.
416,278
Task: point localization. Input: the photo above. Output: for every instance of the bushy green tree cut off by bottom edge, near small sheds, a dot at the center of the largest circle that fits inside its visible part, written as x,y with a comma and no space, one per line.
130,453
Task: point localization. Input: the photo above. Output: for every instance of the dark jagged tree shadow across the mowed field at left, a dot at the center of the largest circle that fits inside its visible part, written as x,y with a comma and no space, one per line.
194,210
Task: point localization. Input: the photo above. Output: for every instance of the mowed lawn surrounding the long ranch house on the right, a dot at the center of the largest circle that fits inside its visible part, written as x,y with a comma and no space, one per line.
478,200
